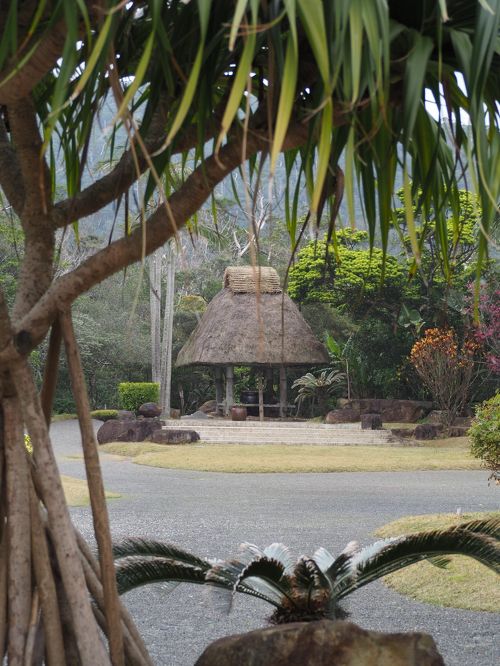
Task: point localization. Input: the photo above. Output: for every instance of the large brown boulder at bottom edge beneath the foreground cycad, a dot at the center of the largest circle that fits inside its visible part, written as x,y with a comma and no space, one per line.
324,643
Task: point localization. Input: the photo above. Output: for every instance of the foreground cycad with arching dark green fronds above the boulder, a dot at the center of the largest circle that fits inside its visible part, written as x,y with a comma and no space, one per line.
310,588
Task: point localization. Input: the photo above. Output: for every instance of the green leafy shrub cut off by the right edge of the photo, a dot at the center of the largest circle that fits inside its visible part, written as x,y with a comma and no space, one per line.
485,435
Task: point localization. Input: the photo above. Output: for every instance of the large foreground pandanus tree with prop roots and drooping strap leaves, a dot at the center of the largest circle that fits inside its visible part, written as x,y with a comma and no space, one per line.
224,85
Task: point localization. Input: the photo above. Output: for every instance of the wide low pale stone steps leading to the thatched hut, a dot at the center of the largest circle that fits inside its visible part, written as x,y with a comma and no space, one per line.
220,431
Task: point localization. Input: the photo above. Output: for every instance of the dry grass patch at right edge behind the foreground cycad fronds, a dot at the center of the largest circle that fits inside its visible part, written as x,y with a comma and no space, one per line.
465,583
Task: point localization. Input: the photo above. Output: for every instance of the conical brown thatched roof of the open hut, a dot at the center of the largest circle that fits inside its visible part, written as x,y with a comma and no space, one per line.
245,327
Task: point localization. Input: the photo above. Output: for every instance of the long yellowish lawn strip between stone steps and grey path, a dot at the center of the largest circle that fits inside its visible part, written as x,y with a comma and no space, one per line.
301,458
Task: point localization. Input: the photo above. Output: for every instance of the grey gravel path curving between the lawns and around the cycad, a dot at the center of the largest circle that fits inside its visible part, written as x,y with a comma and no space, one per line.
212,513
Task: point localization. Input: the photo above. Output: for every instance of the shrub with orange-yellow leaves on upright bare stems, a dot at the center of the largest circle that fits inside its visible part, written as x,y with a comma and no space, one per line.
445,369
